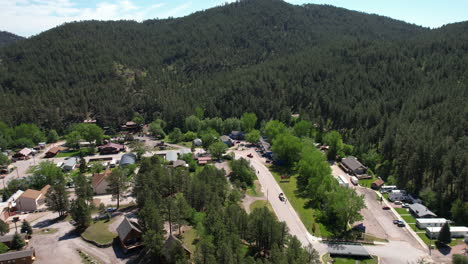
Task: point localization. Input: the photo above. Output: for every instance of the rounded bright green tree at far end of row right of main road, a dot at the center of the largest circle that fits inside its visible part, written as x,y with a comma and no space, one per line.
287,147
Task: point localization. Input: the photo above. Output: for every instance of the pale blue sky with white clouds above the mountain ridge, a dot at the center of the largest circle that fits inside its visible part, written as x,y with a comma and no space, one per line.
30,17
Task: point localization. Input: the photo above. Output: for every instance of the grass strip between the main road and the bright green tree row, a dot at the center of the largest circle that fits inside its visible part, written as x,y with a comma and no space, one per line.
306,214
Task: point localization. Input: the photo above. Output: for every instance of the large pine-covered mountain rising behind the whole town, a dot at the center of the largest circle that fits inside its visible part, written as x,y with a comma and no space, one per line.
396,91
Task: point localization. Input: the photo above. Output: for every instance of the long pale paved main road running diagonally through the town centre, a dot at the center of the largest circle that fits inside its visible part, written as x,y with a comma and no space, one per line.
283,210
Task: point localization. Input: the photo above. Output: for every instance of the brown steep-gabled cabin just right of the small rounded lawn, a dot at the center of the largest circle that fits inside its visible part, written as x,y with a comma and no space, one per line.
129,234
